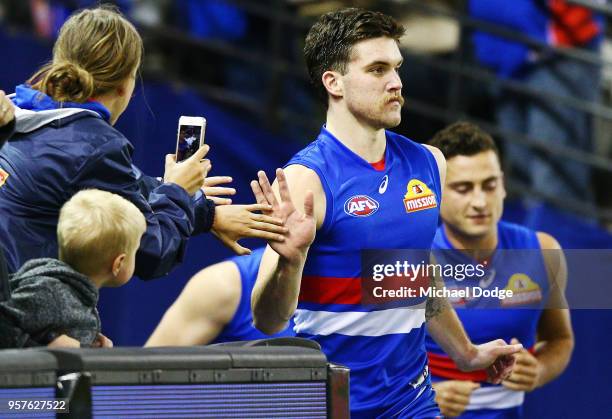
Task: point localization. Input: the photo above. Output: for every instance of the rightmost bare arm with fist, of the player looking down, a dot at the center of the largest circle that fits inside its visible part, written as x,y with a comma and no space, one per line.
555,336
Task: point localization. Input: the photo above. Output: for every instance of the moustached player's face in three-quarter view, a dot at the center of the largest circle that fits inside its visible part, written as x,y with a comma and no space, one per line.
372,88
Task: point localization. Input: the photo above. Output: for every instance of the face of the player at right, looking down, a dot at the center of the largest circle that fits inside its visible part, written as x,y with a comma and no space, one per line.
474,194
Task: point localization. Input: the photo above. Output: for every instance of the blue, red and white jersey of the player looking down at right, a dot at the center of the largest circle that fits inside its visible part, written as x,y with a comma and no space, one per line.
524,273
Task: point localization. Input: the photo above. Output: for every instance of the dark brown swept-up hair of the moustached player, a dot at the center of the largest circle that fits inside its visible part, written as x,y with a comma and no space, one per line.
330,40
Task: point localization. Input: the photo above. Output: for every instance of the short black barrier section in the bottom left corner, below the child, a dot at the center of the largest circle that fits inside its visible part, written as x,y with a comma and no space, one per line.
27,384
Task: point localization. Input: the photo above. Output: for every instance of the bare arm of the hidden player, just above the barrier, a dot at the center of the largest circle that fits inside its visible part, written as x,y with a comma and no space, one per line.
206,305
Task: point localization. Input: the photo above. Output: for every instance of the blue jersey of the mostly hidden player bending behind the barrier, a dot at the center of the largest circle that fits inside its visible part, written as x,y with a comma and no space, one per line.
241,326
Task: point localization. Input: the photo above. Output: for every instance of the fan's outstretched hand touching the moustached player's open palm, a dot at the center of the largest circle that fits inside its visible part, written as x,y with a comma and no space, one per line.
235,222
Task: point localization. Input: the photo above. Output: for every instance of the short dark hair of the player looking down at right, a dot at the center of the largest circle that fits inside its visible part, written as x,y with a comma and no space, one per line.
463,139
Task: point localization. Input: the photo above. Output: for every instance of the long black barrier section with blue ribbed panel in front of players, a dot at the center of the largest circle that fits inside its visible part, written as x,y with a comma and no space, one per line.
247,380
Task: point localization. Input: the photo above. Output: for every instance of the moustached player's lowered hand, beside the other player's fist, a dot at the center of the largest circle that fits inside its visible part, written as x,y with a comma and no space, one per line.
496,357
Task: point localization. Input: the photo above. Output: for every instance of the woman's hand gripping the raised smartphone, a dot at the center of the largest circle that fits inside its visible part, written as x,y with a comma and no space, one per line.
188,174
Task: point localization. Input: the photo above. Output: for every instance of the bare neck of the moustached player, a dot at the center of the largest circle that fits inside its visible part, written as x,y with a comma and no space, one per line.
367,142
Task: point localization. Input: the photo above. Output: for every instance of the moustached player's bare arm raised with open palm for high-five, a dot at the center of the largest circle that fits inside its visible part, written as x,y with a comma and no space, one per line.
275,295
